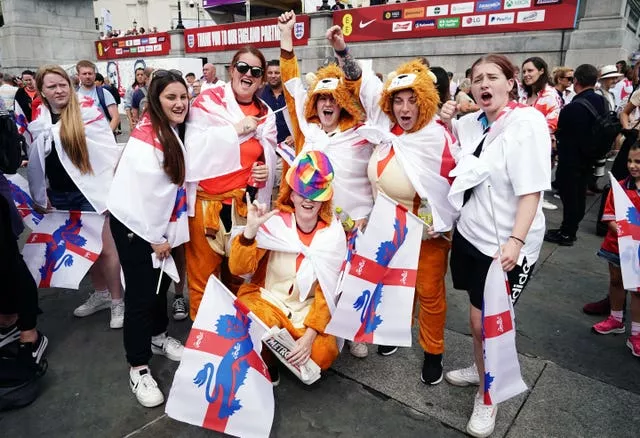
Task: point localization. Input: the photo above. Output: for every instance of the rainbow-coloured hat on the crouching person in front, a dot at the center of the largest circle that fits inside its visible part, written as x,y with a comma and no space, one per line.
311,177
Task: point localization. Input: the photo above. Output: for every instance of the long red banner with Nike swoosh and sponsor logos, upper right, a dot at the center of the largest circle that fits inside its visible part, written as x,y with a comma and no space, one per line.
434,18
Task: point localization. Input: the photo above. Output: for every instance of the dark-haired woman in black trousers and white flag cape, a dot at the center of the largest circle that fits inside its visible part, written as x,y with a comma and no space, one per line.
147,223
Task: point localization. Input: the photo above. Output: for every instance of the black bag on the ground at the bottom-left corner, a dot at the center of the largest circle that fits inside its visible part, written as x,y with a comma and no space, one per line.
19,384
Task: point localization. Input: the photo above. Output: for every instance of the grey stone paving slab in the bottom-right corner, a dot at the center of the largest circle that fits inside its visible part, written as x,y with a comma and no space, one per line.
564,404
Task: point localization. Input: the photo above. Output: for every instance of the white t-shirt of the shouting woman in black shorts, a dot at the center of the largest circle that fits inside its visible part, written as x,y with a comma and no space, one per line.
517,155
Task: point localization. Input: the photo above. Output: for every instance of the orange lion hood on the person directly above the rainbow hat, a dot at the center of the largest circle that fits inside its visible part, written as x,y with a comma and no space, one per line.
331,80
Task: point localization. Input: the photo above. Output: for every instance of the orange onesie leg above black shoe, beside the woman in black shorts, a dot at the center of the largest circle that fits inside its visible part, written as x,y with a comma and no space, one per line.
431,294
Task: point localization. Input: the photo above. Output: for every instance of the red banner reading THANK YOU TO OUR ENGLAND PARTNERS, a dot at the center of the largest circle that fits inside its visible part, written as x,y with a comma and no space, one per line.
258,33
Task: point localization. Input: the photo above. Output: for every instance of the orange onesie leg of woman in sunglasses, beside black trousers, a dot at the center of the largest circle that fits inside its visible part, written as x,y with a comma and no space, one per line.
202,260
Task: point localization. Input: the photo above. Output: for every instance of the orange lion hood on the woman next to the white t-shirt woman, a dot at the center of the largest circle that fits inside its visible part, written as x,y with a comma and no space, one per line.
416,76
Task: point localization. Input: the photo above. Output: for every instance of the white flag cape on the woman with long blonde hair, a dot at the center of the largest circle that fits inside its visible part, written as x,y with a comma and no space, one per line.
104,154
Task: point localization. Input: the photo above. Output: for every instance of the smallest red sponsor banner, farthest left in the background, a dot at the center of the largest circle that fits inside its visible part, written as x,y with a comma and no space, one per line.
157,44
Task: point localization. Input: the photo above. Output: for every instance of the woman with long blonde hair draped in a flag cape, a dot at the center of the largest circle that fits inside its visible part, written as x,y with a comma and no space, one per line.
71,162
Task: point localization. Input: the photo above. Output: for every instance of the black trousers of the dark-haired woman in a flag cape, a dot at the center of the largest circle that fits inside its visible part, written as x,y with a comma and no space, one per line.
145,313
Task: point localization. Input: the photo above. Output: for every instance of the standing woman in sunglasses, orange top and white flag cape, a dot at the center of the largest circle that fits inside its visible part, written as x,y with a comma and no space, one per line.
230,142
